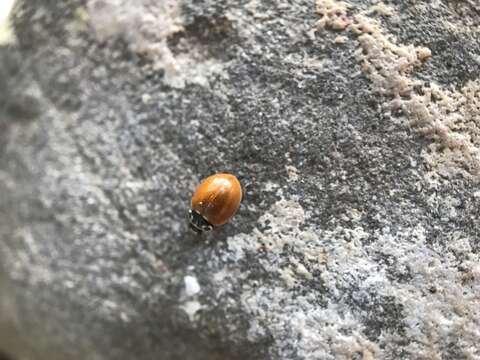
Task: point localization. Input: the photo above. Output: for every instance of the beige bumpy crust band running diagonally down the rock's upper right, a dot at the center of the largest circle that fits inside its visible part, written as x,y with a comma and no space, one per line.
450,118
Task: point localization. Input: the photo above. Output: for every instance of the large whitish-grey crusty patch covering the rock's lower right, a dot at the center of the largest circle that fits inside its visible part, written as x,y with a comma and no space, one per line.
317,303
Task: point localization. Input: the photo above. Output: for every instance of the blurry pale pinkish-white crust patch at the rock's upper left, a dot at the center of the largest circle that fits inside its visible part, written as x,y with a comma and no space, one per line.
146,26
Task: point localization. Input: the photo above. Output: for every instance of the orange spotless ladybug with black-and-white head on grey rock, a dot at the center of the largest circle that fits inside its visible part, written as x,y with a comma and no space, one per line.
214,202
